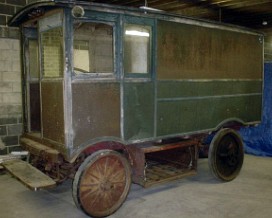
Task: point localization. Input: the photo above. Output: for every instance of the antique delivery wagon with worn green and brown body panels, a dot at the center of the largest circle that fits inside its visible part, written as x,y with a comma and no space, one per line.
115,95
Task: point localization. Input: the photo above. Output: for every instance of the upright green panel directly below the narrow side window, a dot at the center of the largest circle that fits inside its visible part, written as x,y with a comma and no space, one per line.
138,110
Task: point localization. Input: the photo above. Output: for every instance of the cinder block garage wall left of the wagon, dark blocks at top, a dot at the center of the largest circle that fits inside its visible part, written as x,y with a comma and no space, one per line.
10,79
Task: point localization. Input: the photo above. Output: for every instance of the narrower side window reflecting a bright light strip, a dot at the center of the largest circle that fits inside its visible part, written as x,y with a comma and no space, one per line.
137,46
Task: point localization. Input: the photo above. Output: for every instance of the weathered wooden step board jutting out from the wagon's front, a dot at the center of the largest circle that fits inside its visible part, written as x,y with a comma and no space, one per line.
28,175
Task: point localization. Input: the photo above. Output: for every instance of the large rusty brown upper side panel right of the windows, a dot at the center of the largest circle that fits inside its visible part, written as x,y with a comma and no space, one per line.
197,52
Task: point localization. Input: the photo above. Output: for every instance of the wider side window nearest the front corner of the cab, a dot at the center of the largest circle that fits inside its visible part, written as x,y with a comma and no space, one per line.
93,48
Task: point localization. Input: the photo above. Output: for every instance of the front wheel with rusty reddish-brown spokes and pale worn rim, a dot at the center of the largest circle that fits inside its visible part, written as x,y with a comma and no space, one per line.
102,183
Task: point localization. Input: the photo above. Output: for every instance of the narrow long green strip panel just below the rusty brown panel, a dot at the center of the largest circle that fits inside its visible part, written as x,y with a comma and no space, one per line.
177,89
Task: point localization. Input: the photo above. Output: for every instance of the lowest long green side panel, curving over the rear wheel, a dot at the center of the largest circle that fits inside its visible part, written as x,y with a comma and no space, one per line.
190,115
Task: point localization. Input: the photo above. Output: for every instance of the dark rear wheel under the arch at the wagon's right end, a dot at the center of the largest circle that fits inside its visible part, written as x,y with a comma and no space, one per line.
226,154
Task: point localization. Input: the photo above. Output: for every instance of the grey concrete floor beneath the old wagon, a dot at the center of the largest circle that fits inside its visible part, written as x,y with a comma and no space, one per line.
249,195
